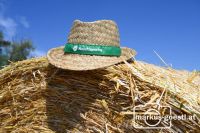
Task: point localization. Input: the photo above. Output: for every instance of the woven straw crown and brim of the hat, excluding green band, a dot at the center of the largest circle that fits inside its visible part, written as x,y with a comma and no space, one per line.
102,32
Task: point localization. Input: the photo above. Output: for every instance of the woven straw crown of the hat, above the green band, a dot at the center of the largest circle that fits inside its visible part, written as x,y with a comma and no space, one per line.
101,32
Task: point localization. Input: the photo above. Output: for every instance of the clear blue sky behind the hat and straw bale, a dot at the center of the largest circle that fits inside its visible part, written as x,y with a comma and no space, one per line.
170,27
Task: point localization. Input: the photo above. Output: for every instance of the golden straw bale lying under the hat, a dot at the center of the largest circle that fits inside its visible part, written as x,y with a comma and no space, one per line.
37,97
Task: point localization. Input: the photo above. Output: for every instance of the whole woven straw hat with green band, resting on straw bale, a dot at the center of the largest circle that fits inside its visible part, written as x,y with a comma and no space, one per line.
91,45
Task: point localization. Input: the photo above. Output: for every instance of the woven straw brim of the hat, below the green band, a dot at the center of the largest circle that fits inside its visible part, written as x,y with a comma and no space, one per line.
58,58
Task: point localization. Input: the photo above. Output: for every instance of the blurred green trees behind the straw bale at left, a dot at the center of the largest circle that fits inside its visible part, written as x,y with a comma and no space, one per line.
12,51
